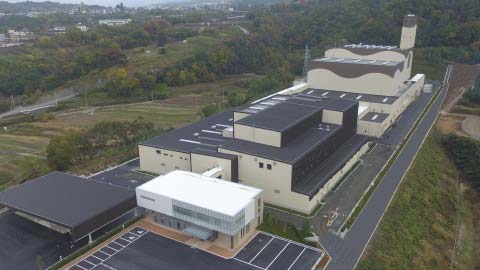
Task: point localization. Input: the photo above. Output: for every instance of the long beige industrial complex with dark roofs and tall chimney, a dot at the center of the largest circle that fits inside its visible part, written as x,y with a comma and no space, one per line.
297,144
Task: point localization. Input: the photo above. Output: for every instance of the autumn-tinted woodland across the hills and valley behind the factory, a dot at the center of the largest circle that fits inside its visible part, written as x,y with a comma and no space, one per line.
448,31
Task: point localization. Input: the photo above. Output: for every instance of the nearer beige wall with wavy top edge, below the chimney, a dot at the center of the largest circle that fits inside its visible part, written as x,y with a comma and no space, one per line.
372,83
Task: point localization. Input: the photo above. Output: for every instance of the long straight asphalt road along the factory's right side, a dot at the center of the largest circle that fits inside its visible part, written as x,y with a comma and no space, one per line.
347,252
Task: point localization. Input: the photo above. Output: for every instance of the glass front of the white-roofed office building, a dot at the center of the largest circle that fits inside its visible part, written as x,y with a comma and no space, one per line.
208,218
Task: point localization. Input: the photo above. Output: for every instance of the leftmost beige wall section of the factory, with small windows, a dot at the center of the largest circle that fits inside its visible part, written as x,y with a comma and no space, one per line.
163,162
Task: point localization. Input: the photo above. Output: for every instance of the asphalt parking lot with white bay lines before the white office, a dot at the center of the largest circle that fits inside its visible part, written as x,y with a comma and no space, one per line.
140,249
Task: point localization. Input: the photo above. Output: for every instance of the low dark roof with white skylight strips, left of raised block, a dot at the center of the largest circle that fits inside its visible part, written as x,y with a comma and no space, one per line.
206,134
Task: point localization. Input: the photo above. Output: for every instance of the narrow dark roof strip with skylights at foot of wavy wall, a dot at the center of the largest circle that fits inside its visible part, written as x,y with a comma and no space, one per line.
351,96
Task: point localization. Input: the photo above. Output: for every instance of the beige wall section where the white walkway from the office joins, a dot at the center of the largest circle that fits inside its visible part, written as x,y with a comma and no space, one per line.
202,163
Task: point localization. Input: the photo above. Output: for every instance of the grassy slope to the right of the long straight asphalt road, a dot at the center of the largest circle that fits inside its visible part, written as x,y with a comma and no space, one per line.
419,228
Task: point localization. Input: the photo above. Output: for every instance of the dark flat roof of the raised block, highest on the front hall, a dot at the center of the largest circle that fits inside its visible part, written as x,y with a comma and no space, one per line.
286,114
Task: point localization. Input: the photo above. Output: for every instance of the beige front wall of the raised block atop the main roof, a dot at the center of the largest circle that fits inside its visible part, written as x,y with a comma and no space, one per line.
258,135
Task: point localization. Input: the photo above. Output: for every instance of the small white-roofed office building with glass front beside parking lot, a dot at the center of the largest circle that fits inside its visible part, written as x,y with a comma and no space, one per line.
219,211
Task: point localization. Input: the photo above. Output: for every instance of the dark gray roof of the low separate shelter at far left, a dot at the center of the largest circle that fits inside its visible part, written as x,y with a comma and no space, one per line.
77,203
